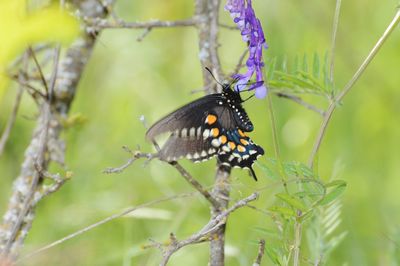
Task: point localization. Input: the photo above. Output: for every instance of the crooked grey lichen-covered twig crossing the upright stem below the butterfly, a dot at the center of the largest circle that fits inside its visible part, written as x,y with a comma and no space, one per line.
207,231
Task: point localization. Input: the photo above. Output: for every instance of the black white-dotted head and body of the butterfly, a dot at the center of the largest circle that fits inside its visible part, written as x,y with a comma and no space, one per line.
234,101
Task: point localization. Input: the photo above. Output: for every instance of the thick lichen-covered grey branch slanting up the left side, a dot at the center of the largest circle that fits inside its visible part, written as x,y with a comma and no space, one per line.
45,146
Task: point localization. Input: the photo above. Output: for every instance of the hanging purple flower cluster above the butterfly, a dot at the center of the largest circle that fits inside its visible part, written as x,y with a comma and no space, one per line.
243,15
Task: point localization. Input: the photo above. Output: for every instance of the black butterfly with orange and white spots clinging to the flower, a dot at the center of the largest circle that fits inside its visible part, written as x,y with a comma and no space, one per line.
214,125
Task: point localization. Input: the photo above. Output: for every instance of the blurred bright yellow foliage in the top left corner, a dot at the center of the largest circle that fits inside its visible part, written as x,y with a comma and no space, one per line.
20,27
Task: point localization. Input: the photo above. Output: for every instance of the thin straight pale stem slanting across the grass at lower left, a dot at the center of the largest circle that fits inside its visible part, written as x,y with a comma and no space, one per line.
101,222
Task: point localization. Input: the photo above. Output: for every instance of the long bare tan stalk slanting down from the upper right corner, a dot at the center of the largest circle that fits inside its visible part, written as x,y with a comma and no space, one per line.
395,21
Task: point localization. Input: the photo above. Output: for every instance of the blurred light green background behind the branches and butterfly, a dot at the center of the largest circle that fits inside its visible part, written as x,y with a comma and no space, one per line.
126,79
